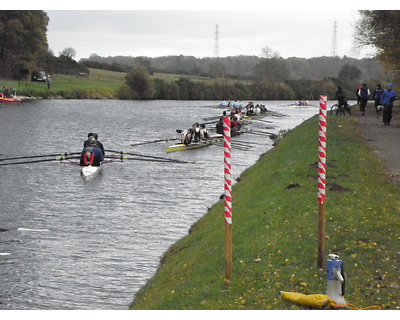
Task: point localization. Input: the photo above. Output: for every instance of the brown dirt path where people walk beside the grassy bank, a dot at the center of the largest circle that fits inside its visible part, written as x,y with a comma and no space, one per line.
385,140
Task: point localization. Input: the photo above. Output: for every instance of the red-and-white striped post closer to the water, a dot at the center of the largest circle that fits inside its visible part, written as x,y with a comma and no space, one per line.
228,195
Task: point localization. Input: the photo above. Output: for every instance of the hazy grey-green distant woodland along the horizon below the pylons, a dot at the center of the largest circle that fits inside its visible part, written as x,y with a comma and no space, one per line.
241,67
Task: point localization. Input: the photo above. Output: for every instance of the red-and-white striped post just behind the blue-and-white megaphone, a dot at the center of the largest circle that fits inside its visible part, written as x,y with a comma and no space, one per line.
323,102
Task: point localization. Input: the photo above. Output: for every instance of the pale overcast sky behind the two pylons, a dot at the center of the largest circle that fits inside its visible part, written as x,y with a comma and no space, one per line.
292,28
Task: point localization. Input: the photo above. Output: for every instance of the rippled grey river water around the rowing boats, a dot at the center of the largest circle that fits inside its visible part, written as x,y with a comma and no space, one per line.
93,245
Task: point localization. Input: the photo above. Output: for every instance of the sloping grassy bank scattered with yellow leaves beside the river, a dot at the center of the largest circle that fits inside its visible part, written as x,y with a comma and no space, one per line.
275,231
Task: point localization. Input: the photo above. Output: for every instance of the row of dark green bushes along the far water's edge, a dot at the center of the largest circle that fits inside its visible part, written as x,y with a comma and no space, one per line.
140,84
